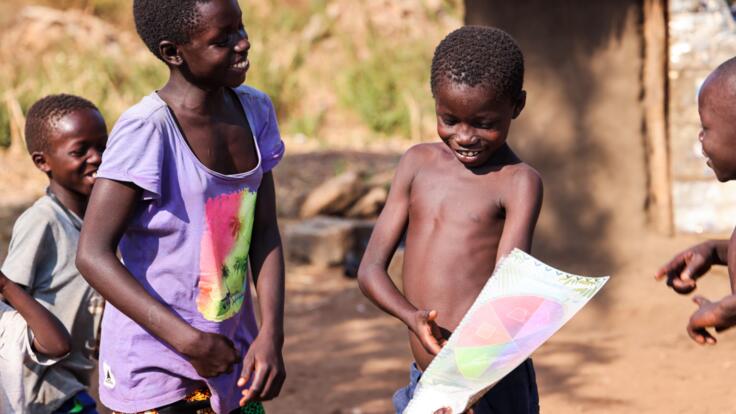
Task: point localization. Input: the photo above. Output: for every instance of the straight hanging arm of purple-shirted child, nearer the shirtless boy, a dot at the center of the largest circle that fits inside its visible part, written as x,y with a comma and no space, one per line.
264,360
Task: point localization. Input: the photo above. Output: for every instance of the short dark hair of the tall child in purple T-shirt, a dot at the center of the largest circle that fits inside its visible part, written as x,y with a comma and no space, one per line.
173,20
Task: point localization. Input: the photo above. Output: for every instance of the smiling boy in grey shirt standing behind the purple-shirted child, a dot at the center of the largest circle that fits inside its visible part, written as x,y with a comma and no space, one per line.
65,136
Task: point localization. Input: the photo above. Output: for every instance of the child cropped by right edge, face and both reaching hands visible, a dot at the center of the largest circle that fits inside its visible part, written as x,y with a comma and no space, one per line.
717,109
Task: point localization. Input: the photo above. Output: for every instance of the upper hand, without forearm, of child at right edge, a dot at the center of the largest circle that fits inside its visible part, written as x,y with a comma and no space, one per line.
686,267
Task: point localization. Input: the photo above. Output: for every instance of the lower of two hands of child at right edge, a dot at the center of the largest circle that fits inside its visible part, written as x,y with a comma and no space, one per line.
710,315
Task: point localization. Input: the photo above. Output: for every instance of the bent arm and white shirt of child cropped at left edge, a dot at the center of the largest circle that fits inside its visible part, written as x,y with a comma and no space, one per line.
27,332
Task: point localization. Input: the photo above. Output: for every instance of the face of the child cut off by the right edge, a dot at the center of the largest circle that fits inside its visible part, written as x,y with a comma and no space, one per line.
718,120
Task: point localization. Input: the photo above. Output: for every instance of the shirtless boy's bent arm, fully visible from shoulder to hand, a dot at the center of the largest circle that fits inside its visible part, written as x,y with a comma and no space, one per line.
373,277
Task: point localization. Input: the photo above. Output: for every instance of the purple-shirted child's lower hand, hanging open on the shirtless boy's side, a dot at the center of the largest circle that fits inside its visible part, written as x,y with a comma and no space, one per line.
265,364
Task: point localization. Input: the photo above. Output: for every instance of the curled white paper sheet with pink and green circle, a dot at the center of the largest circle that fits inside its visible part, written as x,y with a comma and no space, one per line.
521,306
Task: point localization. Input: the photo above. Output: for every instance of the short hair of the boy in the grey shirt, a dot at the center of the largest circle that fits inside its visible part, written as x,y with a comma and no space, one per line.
45,113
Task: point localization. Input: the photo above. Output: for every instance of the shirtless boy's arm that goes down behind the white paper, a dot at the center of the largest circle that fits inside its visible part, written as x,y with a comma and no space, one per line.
522,205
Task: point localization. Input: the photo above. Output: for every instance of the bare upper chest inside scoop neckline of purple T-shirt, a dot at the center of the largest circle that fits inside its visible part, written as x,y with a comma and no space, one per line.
225,147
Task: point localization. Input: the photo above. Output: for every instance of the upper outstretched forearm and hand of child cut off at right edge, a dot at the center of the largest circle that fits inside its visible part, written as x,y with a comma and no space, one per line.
683,270
